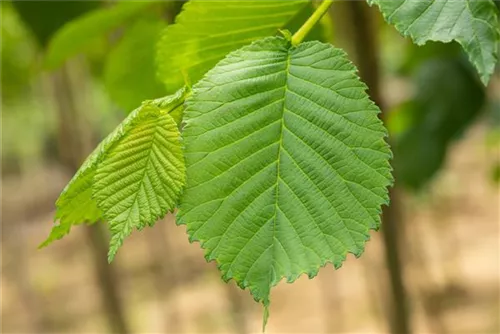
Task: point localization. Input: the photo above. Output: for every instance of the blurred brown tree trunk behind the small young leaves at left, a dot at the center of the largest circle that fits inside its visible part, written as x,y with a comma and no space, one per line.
75,143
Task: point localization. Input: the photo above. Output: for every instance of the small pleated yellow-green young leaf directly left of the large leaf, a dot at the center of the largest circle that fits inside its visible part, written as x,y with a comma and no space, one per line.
141,176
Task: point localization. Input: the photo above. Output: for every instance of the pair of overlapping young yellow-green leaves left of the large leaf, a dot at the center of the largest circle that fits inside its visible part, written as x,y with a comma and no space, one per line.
154,136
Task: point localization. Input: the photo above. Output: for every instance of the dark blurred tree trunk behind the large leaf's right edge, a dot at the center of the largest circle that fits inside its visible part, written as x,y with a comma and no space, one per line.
365,45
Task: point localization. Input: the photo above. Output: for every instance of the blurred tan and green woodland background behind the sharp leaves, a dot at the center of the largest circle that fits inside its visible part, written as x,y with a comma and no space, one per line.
434,268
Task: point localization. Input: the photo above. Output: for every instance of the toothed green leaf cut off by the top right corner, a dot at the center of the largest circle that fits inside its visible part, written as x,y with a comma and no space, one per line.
473,24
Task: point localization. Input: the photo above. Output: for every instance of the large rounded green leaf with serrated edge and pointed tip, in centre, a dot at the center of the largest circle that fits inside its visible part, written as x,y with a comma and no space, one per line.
287,167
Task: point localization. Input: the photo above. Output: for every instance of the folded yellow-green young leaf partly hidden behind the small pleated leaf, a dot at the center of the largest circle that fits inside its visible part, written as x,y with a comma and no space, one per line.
76,204
